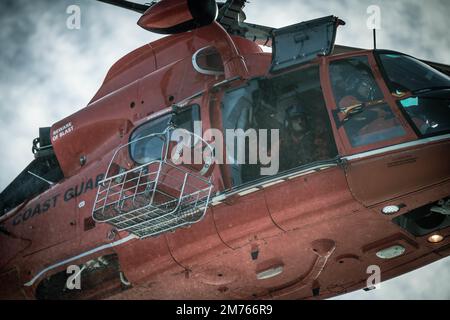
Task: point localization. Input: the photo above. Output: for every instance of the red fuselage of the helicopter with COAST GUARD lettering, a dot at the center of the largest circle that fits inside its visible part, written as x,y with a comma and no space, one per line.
306,232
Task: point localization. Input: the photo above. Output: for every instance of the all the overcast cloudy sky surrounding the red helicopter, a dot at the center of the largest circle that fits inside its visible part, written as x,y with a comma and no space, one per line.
48,71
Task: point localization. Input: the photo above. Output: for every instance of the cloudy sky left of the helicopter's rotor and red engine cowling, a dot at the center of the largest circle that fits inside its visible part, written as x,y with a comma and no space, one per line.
48,71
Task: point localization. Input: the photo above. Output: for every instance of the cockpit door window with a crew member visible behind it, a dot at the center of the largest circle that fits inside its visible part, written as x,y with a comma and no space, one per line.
366,117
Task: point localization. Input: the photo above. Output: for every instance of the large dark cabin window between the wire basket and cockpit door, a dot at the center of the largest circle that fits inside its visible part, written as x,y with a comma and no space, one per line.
291,103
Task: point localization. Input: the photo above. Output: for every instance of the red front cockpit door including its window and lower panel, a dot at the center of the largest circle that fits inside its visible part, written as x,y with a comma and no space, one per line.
374,135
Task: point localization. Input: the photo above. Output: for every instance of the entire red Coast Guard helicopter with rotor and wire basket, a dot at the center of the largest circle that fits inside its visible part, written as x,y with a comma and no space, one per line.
359,141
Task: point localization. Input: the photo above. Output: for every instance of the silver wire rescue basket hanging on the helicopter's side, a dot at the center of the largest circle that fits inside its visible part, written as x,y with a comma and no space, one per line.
152,198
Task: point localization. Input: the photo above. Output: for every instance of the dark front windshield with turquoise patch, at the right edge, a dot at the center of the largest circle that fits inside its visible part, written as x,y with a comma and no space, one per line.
422,92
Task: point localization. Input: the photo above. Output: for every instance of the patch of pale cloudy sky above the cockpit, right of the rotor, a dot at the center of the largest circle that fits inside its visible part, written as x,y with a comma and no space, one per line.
419,28
